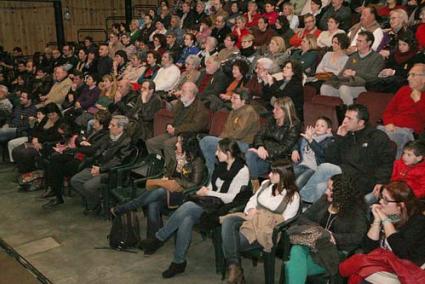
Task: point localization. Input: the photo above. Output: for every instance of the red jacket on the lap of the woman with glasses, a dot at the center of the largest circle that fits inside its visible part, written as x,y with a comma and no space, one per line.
360,266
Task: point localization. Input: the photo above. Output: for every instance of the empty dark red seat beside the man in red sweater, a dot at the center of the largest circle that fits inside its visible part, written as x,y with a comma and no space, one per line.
376,104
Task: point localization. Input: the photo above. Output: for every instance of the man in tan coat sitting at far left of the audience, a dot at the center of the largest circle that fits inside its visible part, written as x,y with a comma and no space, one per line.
59,89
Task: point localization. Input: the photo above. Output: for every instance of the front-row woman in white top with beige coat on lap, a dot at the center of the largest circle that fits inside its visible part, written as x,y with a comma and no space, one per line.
277,199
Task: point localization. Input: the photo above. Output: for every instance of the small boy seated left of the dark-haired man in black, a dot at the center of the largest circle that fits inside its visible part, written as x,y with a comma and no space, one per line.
310,150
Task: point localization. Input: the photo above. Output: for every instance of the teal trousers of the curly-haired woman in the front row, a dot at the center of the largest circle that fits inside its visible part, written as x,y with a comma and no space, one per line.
300,265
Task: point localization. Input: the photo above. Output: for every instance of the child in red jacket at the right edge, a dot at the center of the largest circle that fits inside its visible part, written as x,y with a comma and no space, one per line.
411,168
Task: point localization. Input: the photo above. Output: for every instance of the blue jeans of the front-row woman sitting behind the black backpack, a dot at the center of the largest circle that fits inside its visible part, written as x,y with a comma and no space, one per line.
154,200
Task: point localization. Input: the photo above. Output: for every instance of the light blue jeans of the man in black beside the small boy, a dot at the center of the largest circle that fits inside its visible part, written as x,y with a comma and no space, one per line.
317,184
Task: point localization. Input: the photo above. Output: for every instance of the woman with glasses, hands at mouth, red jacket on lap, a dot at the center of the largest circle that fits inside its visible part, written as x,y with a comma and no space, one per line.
394,242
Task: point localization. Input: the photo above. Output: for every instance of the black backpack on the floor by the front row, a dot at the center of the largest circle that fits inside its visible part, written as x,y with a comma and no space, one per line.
125,232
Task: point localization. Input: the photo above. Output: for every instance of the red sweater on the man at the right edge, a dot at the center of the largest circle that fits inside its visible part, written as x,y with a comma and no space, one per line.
402,111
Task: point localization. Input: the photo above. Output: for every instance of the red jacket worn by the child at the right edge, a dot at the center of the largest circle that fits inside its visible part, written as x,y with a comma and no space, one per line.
414,176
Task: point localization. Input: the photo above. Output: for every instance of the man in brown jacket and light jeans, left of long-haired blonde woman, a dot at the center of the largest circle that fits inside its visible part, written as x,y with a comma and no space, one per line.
242,124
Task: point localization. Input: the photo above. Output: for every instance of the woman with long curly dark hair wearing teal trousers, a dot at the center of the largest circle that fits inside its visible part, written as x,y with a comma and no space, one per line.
340,218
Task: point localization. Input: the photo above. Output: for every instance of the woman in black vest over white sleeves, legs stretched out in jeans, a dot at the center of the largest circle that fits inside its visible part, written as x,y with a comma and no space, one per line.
227,179
